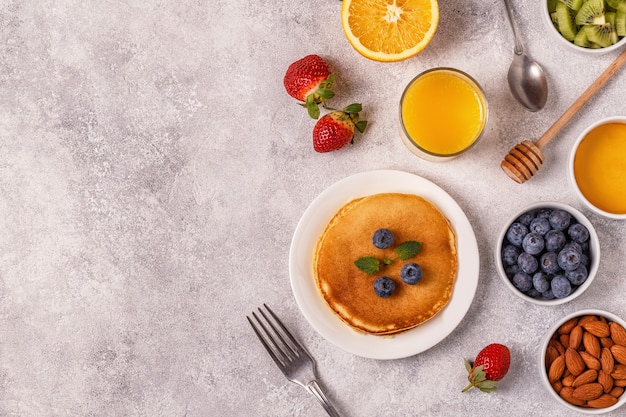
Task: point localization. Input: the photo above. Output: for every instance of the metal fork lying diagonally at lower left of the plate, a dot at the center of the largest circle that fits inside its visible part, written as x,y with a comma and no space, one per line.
290,355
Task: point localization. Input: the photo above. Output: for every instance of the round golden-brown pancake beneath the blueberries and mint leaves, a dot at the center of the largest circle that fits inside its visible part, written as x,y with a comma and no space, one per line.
349,292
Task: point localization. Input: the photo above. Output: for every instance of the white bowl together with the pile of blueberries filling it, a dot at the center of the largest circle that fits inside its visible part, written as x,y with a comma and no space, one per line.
548,253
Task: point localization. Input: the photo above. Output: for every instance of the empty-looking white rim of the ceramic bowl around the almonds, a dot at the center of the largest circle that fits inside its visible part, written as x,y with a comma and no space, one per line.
542,361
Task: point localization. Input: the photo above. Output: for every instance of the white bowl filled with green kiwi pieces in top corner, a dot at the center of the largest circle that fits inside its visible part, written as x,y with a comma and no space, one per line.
587,26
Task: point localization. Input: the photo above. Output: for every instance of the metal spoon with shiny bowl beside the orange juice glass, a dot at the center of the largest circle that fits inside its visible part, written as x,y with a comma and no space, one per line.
526,78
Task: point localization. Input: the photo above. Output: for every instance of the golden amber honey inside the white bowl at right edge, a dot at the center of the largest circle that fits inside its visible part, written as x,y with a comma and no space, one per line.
600,167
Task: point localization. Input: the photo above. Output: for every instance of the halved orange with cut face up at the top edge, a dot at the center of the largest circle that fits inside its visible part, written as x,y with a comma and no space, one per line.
389,30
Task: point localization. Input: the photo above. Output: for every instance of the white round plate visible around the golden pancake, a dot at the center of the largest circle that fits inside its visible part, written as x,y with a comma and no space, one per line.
315,309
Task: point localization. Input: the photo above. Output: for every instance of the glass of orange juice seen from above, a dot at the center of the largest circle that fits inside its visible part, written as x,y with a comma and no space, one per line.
443,113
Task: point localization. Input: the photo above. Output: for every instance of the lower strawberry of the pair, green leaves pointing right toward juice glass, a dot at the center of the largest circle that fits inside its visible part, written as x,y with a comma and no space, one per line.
335,130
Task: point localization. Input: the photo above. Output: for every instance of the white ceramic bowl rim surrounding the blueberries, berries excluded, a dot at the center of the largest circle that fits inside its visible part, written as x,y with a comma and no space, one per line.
594,253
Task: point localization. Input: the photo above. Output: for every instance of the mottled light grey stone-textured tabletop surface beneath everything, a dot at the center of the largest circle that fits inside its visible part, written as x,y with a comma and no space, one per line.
152,172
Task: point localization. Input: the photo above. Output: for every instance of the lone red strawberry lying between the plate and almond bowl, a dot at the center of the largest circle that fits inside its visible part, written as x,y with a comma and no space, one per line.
491,365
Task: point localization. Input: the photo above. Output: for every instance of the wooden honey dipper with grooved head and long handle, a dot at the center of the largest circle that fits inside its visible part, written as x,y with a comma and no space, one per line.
525,159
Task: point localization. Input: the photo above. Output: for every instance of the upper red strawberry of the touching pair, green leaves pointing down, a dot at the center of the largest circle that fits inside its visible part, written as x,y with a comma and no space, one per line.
310,80
